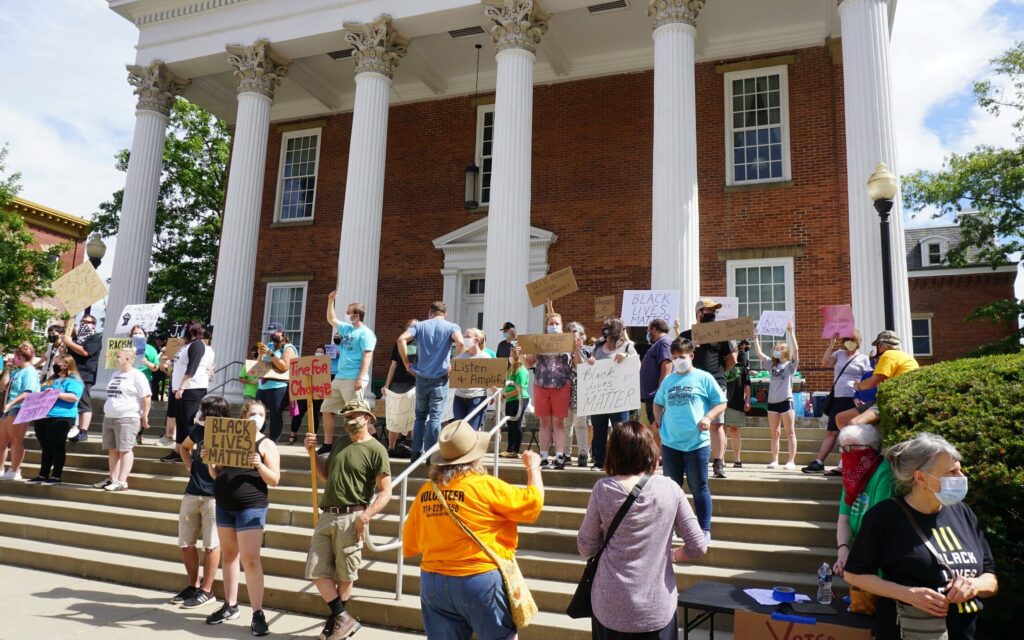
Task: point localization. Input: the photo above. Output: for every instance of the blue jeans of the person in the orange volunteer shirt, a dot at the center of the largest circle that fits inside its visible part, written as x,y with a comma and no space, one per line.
455,607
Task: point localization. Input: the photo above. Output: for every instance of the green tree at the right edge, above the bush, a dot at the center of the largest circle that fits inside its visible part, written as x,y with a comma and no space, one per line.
990,181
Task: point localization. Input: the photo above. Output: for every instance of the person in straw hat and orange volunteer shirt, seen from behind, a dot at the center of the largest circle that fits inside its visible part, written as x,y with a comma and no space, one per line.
458,581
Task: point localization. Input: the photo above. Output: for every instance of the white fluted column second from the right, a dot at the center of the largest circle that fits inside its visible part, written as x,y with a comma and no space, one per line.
675,251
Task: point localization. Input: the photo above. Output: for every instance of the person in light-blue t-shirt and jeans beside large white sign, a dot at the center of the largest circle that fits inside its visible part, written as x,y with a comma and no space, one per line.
687,405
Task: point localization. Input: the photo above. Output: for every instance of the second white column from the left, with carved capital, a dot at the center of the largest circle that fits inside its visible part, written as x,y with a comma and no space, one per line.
260,72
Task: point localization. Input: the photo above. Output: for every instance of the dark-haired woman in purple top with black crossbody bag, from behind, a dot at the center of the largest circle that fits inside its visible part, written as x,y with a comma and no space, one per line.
634,593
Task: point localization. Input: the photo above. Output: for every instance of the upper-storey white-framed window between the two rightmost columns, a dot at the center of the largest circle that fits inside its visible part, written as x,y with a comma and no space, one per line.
757,125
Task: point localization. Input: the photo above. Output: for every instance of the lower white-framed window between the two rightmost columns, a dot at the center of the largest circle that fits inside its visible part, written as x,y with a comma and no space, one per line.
762,286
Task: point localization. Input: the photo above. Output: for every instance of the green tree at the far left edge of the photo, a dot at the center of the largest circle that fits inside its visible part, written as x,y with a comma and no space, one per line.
26,274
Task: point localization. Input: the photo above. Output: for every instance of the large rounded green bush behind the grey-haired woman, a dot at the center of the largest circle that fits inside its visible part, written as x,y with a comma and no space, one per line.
978,406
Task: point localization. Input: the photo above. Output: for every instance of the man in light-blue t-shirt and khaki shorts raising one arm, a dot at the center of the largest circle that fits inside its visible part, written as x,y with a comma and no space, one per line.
356,353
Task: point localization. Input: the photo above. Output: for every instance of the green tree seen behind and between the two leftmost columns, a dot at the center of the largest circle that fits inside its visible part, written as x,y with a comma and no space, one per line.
189,214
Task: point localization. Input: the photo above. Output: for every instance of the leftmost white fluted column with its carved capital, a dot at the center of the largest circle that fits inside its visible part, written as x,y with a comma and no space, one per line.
157,90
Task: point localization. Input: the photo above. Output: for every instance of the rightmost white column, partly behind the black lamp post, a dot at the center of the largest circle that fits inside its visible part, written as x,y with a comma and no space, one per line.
871,139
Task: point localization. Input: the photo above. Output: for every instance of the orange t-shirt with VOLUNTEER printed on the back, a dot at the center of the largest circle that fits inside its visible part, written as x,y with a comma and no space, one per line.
490,507
